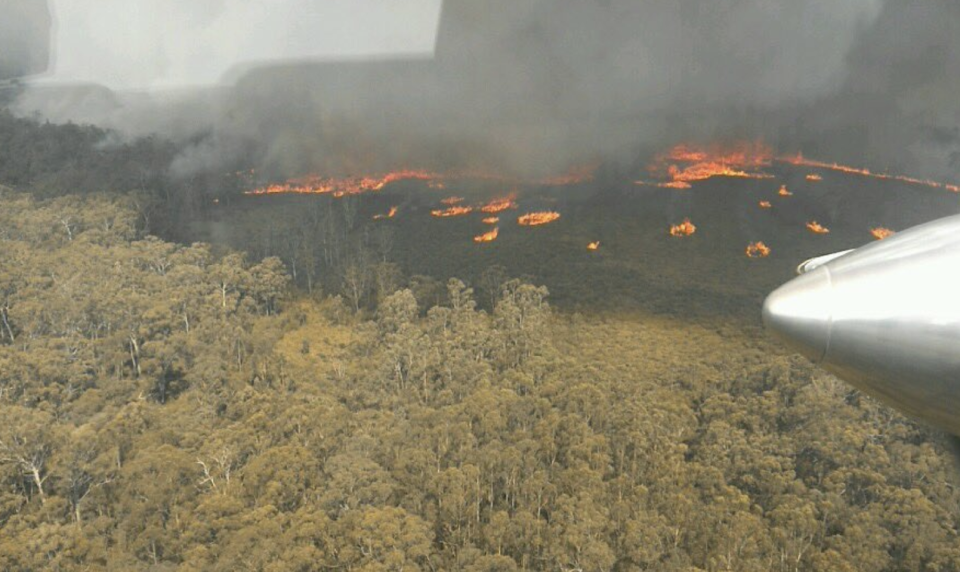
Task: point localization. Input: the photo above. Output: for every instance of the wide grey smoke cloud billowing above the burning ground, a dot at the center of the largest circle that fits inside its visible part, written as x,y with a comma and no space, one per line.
533,86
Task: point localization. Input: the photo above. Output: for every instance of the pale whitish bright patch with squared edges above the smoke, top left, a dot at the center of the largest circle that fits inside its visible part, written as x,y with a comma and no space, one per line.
138,44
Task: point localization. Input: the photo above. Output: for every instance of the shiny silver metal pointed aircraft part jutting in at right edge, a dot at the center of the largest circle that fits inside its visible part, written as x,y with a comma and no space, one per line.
887,320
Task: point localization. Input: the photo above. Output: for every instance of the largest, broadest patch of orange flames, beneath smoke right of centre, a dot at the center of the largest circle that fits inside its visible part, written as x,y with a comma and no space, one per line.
686,164
